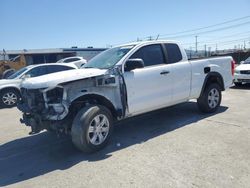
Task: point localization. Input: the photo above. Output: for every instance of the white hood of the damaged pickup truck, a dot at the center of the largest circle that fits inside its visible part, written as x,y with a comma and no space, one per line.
52,80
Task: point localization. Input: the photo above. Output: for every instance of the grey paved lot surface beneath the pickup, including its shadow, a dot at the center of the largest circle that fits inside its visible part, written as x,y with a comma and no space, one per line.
173,147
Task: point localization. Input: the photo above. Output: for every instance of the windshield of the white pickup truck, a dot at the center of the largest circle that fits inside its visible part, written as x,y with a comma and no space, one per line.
108,58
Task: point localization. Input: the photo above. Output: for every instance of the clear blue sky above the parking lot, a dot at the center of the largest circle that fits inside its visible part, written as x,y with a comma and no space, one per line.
39,24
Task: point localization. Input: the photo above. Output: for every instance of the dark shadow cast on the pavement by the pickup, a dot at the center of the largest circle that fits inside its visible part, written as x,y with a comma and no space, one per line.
32,156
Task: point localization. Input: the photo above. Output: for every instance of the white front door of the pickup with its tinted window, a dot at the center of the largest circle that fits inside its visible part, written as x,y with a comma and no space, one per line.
150,87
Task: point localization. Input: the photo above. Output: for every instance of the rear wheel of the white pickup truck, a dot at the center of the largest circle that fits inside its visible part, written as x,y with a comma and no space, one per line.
210,99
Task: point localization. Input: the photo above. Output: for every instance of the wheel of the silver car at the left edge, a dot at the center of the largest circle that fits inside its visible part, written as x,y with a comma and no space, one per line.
9,98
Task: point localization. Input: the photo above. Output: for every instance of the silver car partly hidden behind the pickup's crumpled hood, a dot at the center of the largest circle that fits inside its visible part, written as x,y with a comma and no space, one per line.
10,87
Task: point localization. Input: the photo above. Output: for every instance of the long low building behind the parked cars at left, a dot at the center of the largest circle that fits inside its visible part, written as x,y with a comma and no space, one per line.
38,56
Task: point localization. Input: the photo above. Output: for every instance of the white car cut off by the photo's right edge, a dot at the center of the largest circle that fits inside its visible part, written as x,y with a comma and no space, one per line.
242,73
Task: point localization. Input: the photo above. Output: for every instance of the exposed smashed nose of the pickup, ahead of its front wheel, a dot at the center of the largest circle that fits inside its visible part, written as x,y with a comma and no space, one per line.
43,108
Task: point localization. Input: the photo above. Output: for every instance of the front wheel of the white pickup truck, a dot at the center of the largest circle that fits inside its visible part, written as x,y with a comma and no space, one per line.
92,128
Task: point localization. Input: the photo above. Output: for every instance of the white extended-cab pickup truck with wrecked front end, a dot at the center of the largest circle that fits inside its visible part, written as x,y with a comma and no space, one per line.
121,82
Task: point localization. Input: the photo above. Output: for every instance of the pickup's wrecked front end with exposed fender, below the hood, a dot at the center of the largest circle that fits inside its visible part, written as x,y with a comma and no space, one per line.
54,108
